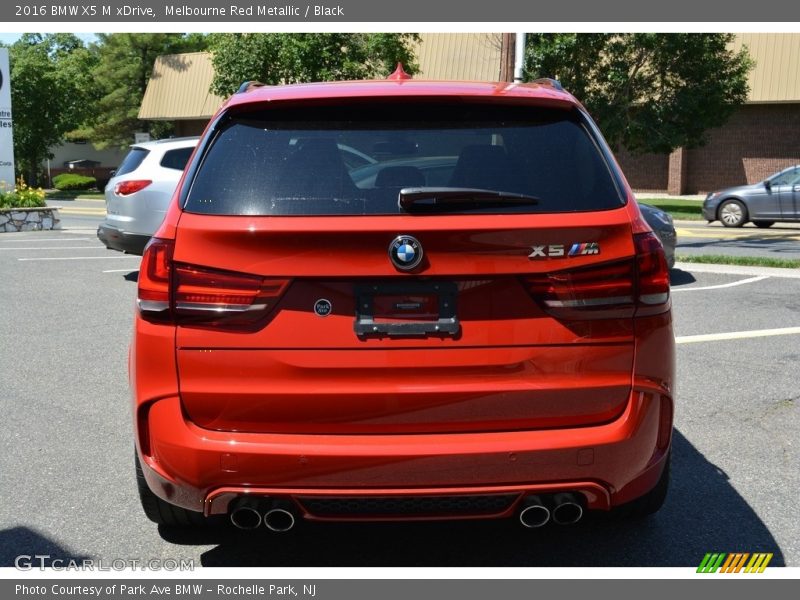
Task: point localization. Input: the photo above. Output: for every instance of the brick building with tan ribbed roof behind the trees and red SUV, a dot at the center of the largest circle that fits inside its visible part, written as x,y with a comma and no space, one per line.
762,137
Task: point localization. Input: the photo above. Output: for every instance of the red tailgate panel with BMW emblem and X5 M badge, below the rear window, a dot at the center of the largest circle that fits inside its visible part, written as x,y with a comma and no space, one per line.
510,365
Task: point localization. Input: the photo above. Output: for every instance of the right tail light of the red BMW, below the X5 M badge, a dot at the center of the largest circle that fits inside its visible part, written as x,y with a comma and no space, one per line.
619,289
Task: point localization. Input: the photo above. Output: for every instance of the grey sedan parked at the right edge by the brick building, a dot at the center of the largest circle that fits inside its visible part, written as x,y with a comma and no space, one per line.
777,198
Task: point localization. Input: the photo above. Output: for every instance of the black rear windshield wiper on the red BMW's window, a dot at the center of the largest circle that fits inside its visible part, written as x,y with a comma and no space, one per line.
446,198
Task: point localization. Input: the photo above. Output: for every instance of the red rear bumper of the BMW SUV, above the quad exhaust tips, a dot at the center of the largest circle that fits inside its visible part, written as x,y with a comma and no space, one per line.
203,470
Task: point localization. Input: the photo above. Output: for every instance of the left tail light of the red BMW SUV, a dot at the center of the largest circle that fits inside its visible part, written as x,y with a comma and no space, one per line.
188,294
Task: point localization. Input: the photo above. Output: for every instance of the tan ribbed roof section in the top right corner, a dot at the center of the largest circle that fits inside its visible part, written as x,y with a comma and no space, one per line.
776,75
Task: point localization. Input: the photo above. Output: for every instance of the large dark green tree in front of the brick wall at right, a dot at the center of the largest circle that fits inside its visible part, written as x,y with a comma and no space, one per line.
648,92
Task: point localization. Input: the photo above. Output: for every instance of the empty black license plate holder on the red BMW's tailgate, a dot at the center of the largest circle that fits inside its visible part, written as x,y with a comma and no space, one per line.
444,322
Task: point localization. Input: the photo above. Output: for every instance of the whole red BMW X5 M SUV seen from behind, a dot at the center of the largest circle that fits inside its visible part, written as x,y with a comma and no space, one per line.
479,329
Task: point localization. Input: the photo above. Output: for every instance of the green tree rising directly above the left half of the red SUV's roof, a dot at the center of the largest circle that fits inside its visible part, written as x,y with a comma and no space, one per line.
276,58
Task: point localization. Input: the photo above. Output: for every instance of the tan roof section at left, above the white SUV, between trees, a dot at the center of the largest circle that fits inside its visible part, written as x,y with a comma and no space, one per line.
179,88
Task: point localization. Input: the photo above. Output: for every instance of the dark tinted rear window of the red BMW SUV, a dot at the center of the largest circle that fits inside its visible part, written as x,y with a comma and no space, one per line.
300,161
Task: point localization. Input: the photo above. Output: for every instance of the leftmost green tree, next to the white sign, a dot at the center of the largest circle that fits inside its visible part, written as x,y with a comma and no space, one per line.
50,76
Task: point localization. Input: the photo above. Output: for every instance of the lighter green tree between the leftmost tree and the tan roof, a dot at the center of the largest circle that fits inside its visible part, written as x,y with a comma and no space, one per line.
125,64
